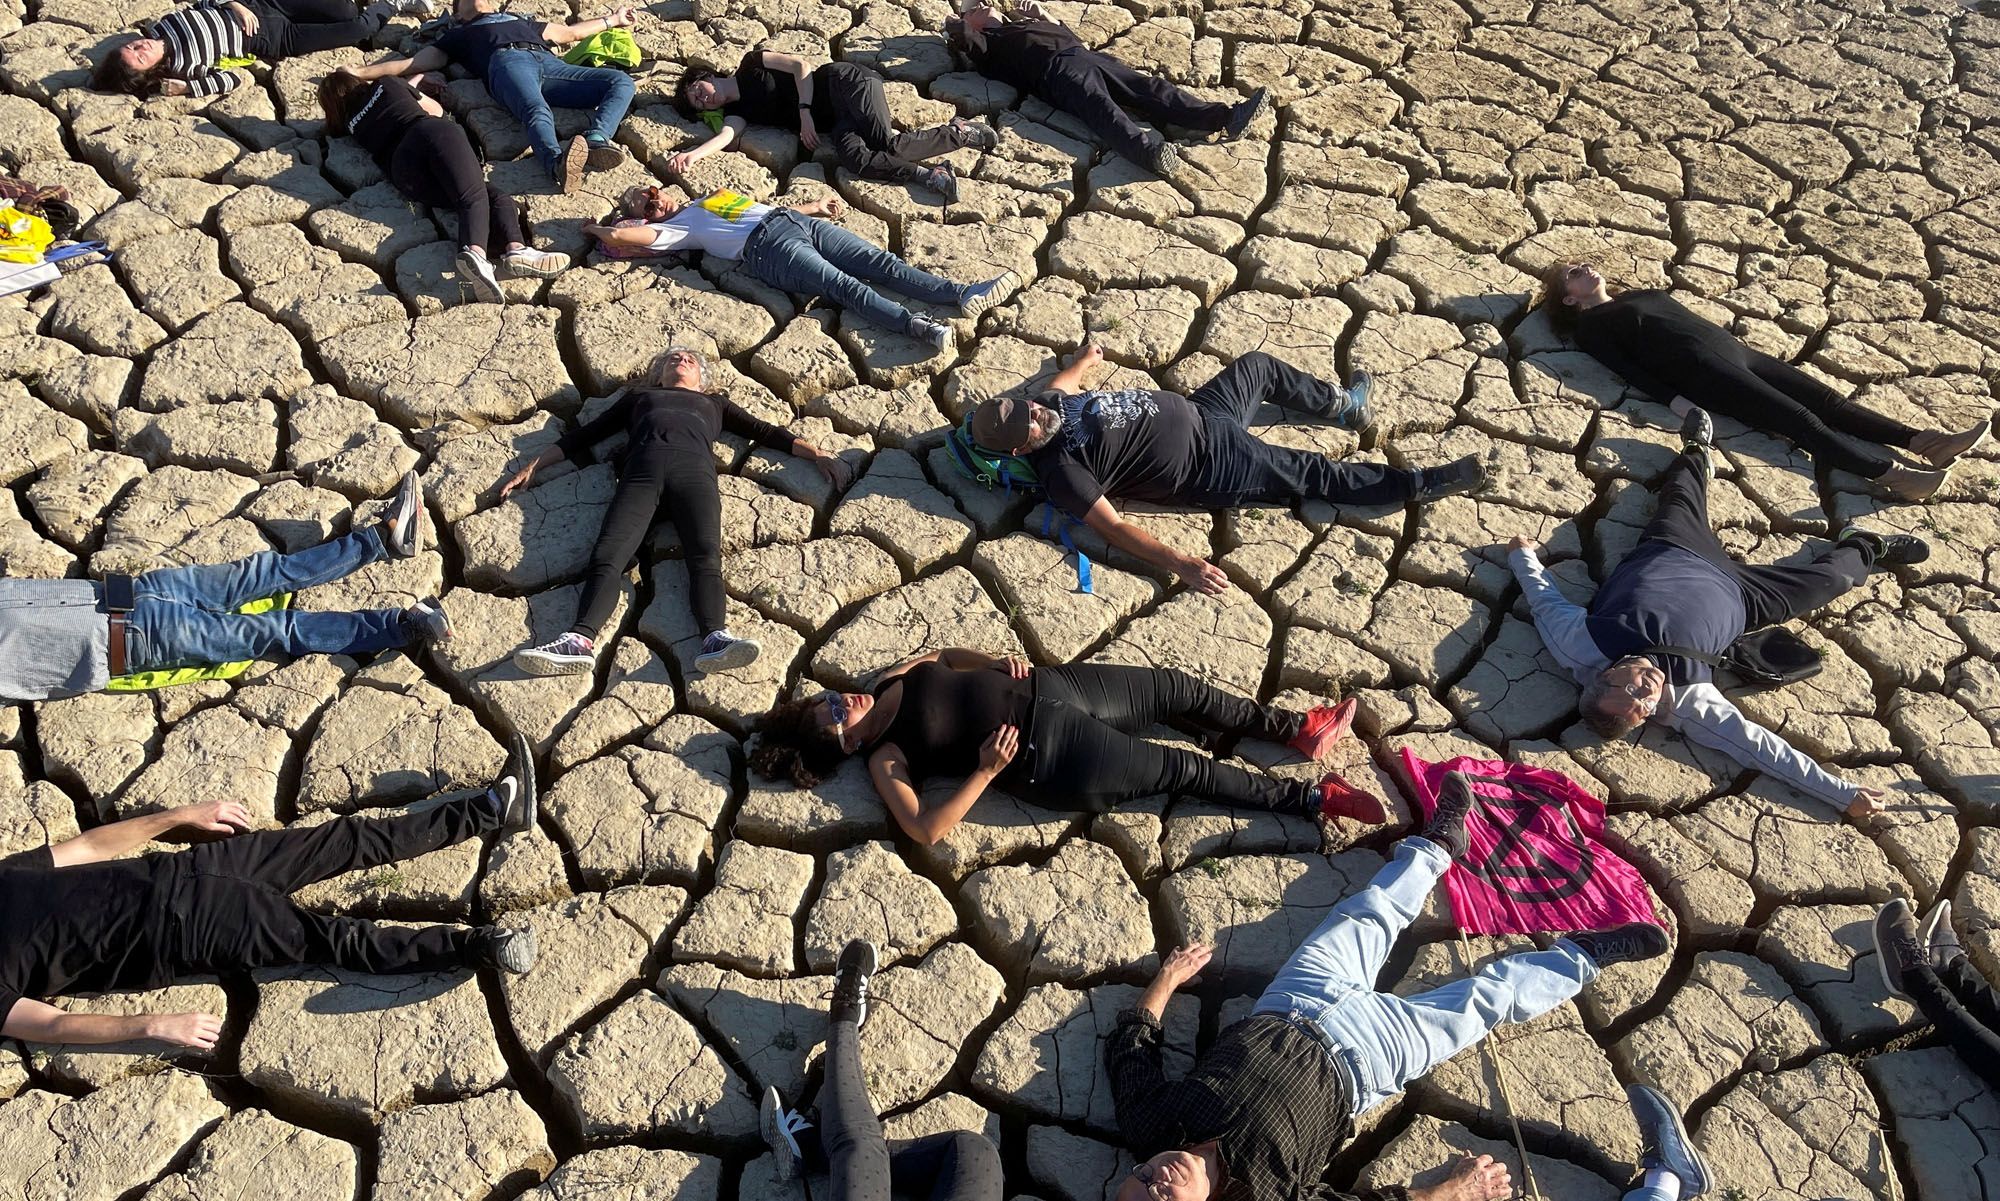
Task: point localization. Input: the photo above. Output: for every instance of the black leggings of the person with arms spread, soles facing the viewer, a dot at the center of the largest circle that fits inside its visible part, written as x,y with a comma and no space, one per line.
685,485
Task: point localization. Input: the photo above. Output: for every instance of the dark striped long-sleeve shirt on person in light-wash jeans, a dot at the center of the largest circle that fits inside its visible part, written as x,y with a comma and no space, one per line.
1265,1092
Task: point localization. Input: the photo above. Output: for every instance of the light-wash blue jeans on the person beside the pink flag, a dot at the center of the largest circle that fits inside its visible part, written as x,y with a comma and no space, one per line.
1389,1040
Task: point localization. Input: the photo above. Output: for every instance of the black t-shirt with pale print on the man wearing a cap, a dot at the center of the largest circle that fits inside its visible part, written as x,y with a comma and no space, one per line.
1127,445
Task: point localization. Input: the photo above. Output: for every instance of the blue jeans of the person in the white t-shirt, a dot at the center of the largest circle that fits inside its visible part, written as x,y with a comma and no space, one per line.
821,259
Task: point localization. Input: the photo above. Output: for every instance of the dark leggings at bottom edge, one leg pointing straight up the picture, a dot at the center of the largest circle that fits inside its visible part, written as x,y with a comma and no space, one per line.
847,1142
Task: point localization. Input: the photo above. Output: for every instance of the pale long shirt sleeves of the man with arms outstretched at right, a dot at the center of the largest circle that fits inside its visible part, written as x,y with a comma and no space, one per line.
1699,712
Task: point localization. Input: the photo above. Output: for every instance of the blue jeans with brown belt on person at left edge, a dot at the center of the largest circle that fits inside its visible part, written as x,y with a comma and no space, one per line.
187,616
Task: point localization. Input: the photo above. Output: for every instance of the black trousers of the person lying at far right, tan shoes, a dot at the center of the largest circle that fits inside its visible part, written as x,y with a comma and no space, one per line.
1773,395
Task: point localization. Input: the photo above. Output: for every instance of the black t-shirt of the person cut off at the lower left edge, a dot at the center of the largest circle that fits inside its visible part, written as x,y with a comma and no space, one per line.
81,930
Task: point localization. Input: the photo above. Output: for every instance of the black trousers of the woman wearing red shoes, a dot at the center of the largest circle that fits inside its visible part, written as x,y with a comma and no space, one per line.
1083,748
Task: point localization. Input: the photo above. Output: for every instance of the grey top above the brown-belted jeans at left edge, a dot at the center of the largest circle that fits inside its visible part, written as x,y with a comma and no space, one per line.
53,640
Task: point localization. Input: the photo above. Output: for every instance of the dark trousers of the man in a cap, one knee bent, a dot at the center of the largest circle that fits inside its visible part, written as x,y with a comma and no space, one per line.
1239,467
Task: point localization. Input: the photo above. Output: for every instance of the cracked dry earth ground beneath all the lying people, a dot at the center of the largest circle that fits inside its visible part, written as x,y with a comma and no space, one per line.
1821,177
